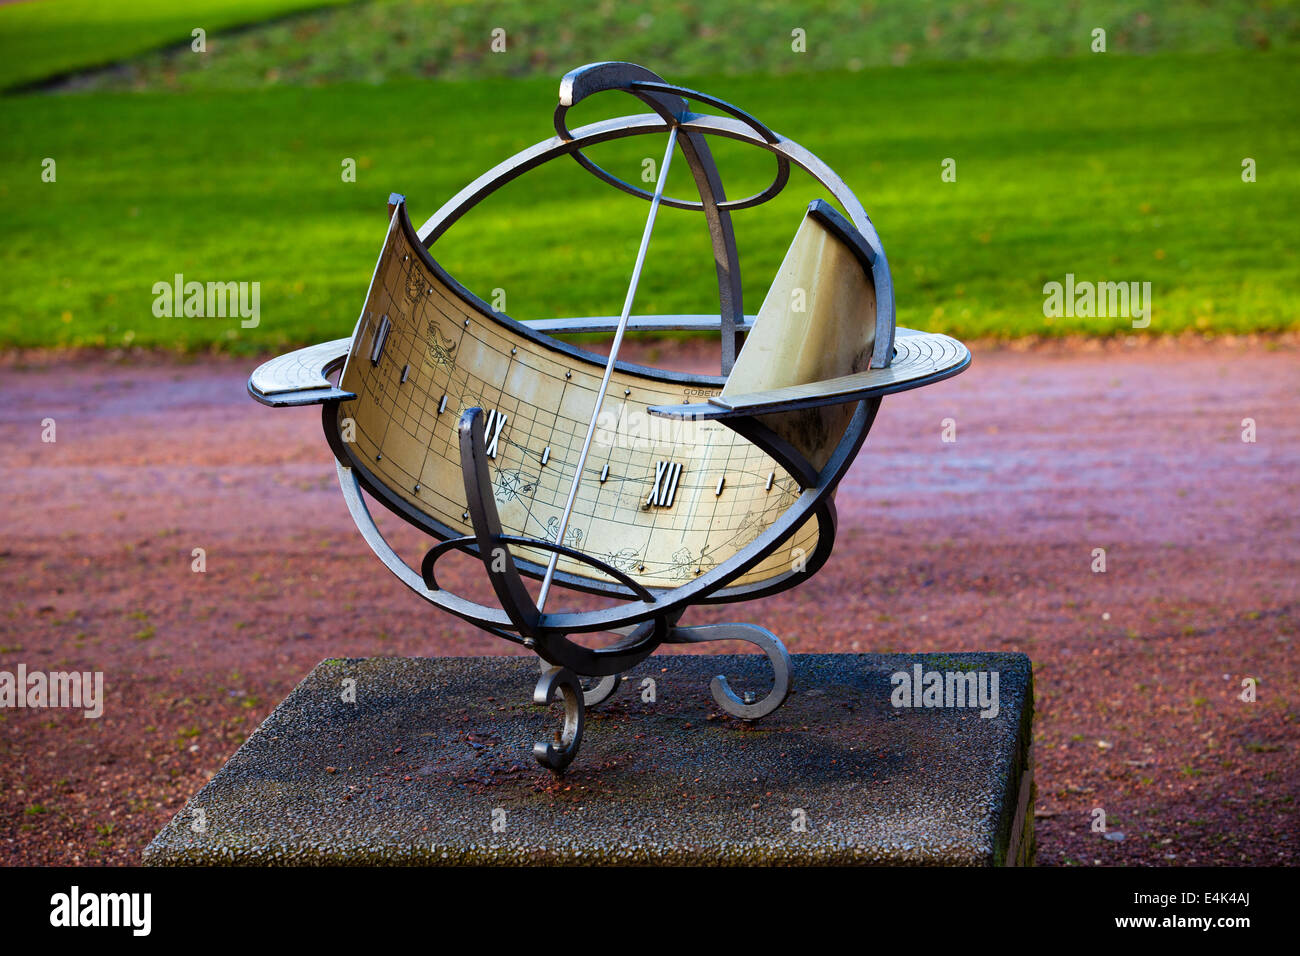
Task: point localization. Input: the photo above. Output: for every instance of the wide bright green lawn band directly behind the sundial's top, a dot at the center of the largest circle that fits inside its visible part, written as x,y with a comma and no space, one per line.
1111,168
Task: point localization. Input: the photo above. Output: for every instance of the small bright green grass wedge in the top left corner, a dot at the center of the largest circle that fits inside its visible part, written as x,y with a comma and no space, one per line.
45,38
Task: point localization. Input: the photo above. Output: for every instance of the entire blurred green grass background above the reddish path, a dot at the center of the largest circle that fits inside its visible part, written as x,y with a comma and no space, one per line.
227,165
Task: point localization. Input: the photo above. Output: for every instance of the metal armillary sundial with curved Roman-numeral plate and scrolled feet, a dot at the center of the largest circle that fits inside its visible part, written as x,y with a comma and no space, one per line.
553,464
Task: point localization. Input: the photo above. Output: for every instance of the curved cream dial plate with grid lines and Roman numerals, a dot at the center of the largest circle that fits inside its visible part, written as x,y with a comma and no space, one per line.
662,501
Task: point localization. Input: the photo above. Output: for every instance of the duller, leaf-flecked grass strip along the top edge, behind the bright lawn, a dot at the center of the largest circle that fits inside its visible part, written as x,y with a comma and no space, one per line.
449,40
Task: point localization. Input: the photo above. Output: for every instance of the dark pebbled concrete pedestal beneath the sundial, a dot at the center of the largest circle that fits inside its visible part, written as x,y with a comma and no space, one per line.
432,765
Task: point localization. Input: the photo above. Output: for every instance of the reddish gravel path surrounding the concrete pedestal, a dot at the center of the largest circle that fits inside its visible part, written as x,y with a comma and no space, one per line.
981,544
